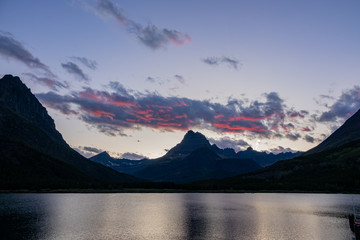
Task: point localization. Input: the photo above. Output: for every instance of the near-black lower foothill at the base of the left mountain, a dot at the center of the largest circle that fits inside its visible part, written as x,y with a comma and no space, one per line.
24,168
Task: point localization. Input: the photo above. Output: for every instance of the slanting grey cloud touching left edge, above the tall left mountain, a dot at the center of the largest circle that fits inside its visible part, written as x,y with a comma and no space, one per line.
13,49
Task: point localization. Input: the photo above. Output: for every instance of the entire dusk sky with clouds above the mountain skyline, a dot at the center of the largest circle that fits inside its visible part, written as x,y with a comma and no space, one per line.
132,77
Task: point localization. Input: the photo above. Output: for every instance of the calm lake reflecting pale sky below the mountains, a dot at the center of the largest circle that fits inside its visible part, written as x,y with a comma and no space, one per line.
176,216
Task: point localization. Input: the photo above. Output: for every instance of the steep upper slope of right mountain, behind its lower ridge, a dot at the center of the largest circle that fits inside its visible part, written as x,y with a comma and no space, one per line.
348,132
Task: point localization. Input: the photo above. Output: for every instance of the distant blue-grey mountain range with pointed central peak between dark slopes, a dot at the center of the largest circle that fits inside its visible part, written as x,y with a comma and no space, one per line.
193,159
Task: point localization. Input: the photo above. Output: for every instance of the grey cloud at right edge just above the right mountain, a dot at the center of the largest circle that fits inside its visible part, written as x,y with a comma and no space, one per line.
344,107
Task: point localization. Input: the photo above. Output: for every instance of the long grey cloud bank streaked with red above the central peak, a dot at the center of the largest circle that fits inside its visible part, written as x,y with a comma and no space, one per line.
113,111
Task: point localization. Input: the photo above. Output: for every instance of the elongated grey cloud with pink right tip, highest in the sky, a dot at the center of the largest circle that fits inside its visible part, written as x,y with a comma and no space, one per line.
151,36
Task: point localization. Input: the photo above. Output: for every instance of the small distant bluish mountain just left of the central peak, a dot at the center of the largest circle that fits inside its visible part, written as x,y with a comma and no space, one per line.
121,165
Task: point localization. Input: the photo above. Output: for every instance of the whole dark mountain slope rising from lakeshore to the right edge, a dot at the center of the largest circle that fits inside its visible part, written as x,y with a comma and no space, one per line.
333,166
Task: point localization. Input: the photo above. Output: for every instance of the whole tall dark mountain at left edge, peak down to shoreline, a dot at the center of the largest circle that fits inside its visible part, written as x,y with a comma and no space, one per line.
26,127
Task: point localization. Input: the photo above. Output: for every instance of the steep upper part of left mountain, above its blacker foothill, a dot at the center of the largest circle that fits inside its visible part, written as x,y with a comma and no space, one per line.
25,122
